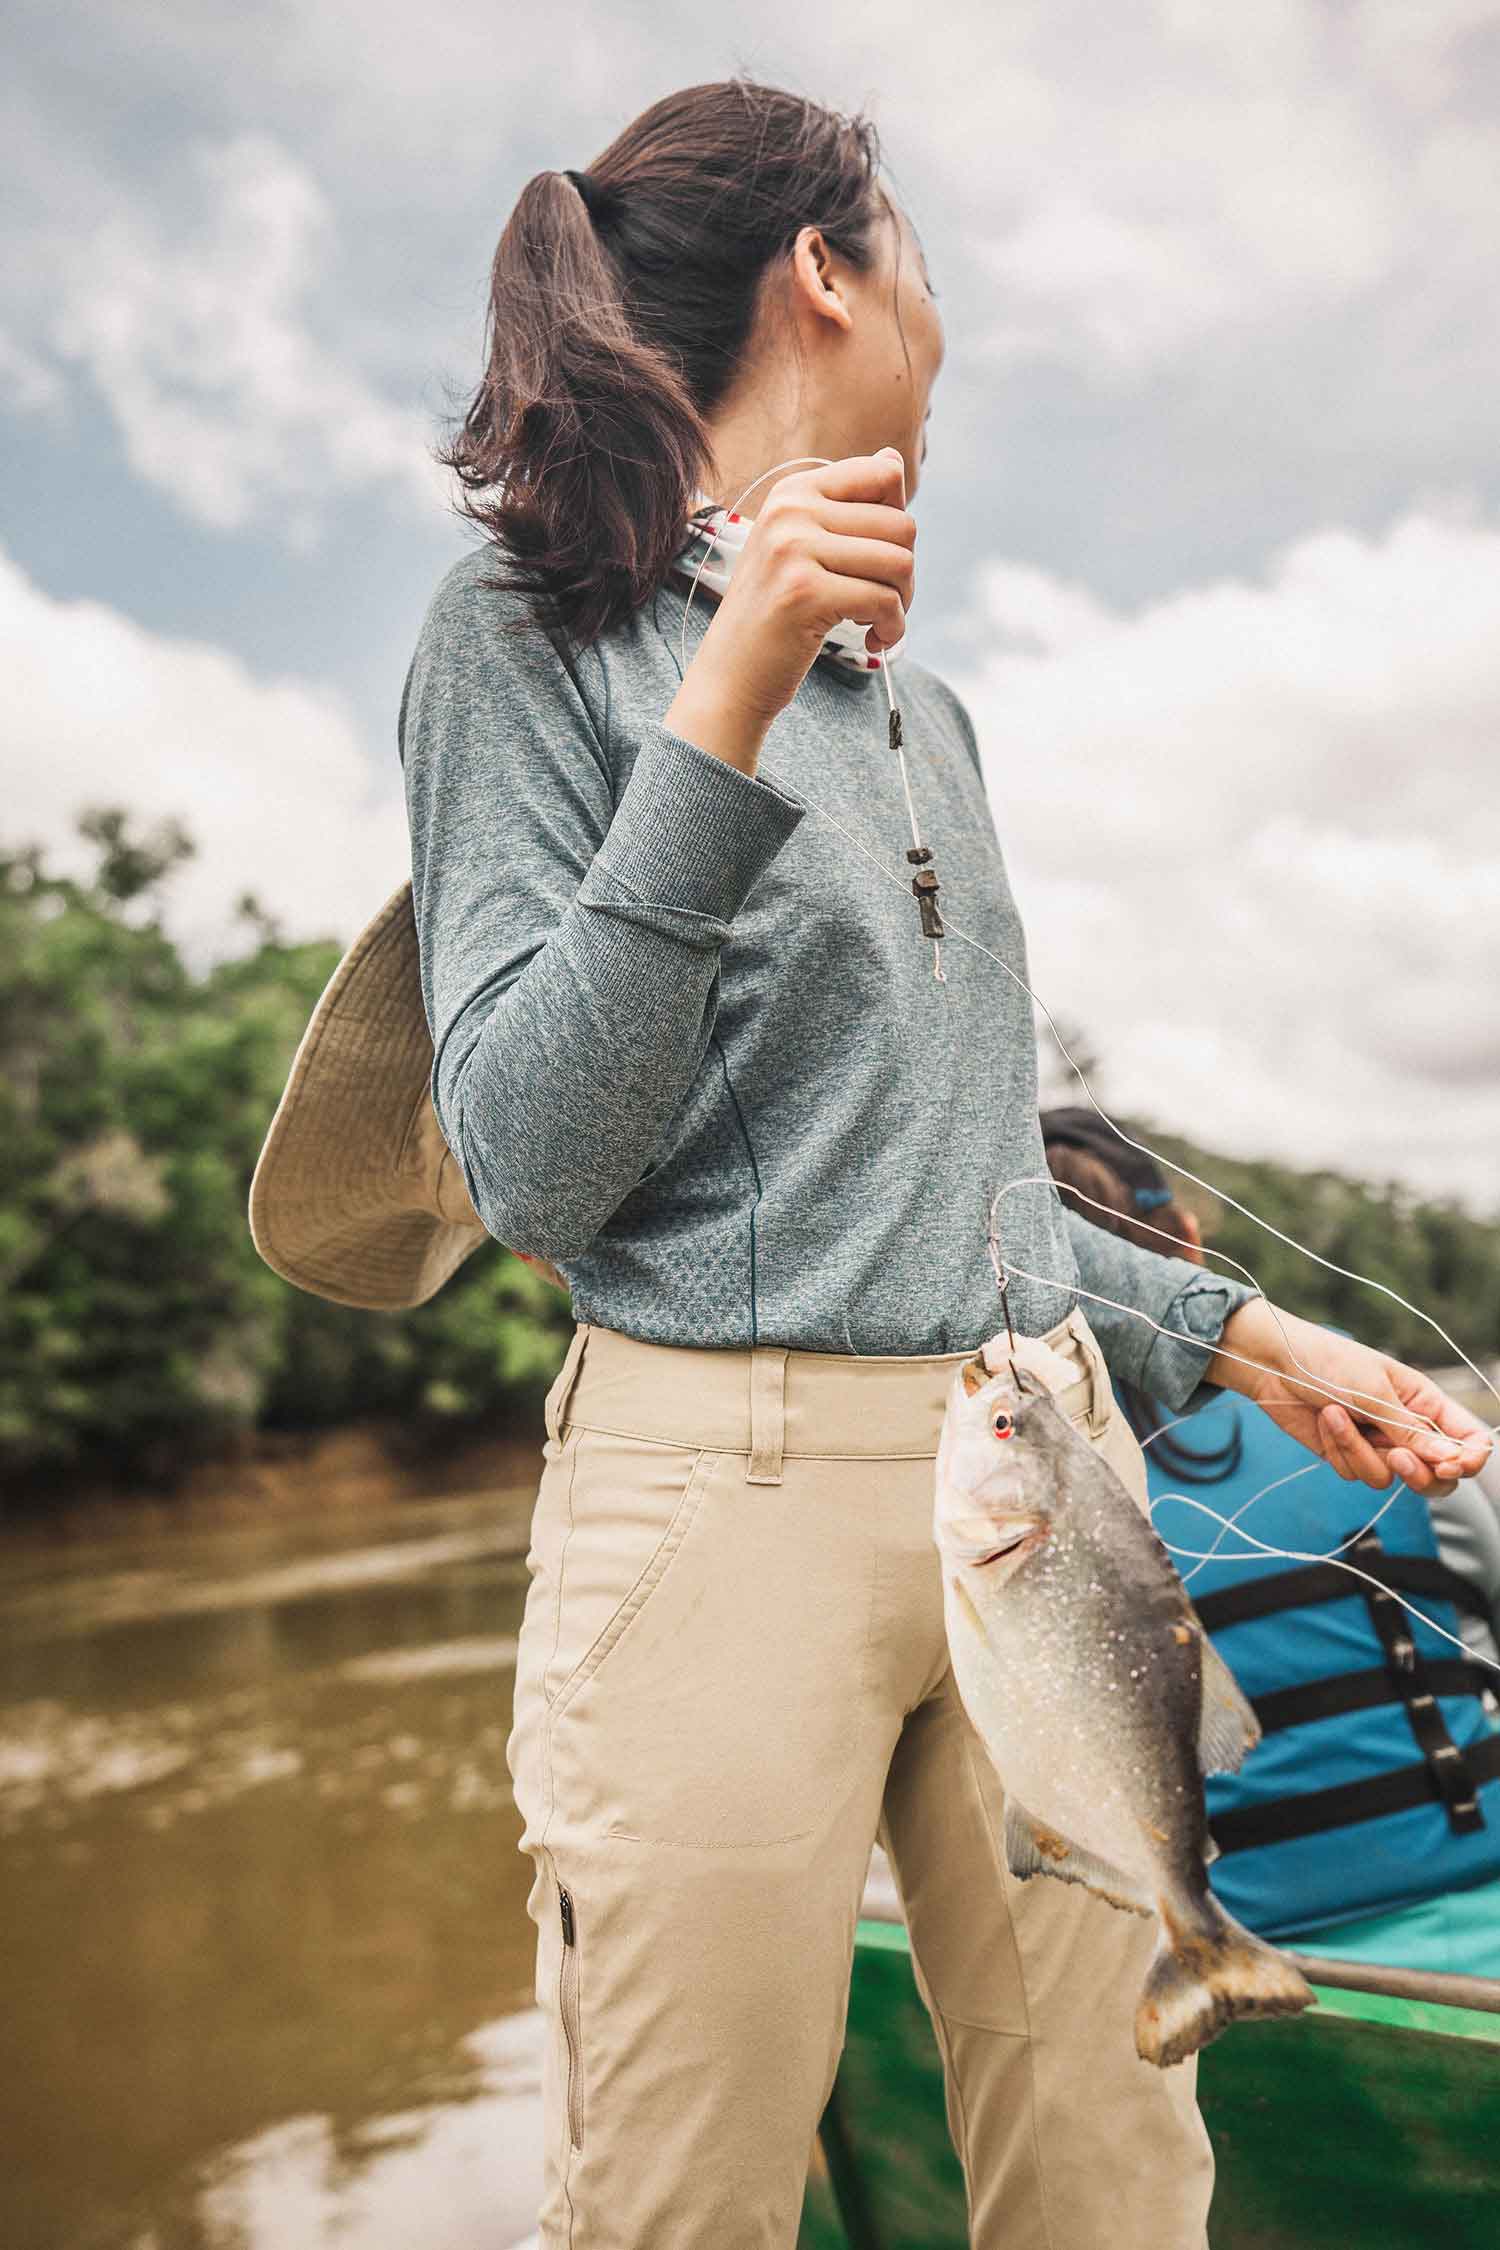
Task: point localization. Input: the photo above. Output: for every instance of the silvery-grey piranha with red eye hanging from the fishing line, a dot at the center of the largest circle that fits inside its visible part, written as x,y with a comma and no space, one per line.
1096,1693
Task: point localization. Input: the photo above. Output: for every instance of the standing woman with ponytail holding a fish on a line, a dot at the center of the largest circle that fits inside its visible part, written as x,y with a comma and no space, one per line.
692,1052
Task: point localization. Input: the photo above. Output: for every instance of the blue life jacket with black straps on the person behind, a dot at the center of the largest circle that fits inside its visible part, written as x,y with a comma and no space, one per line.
1377,1781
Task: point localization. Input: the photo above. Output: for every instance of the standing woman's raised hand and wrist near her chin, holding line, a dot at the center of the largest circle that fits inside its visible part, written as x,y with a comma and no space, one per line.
829,543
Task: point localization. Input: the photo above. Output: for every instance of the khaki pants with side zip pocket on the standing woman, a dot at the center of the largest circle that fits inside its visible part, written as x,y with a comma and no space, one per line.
734,1680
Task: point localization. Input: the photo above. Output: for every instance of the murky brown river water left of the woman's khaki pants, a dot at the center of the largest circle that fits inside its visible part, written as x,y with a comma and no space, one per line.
266,1961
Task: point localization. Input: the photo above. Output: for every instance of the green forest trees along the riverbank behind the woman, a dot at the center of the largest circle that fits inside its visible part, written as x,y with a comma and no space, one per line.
141,1329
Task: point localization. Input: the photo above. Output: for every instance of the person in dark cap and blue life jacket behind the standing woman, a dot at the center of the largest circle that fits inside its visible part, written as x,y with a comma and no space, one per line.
1368,1819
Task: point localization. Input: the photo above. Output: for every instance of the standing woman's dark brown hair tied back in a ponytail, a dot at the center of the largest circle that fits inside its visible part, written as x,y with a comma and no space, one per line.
617,327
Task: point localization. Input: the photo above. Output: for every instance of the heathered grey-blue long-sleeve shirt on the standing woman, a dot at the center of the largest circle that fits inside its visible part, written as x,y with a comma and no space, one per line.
689,1043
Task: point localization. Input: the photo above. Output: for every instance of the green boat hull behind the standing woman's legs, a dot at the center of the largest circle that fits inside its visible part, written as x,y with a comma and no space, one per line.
1371,2123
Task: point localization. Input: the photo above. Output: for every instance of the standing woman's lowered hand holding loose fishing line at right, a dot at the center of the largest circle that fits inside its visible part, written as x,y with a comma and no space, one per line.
1373,1441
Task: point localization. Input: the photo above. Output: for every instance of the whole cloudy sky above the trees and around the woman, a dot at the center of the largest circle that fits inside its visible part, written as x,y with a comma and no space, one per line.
1209,528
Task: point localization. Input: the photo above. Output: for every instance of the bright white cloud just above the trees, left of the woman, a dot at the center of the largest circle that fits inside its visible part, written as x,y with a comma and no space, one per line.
266,775
